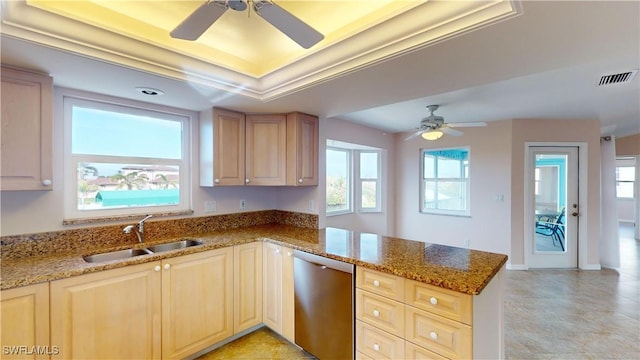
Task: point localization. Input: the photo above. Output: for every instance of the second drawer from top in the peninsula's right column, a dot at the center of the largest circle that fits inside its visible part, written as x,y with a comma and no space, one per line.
438,334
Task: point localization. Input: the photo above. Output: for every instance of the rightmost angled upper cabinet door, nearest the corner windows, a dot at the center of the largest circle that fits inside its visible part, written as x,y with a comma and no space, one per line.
302,149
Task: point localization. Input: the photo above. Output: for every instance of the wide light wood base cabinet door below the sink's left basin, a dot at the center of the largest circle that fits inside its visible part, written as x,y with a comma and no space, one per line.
112,314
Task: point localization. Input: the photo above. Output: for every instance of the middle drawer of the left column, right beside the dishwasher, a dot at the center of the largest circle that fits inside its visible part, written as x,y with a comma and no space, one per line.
381,312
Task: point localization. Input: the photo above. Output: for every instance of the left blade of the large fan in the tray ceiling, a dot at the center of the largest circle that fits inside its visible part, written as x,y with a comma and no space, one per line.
199,21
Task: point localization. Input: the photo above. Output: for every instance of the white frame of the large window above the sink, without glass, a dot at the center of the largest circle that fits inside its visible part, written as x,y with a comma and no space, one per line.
69,100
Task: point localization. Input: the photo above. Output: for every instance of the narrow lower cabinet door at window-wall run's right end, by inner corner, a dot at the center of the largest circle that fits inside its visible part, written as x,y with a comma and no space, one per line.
247,263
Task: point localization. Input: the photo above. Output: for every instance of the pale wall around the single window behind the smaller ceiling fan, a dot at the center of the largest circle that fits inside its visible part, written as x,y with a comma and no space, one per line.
489,226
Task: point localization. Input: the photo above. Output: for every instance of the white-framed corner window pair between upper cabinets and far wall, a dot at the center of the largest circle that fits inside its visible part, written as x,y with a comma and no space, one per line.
353,172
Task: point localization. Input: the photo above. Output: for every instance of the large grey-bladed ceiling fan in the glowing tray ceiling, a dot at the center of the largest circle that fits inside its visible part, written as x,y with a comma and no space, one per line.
204,16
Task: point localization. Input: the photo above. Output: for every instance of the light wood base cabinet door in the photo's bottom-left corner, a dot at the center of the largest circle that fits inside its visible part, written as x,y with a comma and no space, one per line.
24,312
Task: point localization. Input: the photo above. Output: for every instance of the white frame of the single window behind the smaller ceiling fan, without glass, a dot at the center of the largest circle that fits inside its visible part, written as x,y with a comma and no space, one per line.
435,211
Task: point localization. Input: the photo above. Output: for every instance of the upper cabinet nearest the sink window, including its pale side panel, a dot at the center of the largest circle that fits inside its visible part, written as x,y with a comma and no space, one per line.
222,148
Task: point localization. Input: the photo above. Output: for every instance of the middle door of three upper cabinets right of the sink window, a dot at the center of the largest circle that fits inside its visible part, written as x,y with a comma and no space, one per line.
266,162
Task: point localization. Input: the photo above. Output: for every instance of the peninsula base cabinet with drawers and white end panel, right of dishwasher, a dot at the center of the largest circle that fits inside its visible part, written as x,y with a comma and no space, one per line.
402,318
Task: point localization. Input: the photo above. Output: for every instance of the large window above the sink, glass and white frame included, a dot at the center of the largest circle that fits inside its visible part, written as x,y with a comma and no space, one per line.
124,159
